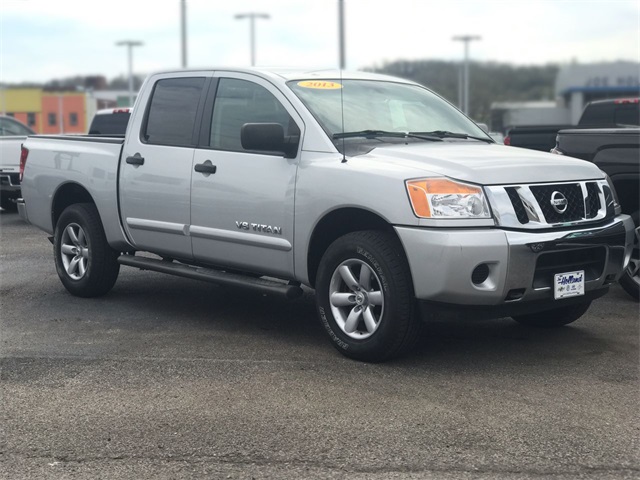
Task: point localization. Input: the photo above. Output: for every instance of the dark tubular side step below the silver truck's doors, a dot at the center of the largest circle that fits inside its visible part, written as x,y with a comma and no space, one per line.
210,275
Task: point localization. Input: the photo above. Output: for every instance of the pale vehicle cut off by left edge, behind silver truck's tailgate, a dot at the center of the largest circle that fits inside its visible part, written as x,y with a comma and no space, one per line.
12,135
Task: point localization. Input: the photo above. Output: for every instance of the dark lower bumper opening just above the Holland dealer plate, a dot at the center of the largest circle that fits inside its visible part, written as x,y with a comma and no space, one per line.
591,260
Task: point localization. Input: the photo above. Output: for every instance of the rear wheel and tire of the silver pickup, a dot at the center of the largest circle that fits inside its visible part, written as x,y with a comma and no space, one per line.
86,264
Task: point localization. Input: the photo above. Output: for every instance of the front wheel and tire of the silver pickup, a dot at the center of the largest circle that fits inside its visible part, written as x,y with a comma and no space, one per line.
365,298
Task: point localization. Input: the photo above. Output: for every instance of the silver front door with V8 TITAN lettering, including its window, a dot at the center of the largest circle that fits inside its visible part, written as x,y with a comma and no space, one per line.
242,202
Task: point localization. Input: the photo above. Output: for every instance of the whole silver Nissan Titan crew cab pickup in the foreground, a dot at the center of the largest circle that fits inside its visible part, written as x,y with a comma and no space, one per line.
372,190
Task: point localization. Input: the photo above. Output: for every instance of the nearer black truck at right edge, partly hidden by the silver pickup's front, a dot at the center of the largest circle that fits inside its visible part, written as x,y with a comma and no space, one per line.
616,152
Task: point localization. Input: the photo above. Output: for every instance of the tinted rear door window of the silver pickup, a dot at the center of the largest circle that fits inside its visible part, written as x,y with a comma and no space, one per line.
172,112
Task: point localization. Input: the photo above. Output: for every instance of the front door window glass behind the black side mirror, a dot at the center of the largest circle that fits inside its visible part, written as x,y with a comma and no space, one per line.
239,102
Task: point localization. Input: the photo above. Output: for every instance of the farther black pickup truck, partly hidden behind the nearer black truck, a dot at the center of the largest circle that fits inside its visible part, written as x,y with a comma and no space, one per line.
601,114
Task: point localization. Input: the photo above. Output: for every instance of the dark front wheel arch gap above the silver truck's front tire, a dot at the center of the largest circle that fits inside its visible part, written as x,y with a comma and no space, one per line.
335,224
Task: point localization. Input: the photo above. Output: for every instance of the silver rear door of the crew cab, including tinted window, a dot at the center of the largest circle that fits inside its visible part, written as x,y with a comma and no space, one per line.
156,166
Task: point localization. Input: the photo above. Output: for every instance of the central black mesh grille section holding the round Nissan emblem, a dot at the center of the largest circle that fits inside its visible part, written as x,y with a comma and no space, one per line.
569,192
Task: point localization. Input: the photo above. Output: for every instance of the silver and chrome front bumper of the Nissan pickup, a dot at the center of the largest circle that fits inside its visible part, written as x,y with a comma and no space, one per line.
520,265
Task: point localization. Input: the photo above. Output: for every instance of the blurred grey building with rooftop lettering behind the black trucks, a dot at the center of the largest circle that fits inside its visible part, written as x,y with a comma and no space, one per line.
576,85
